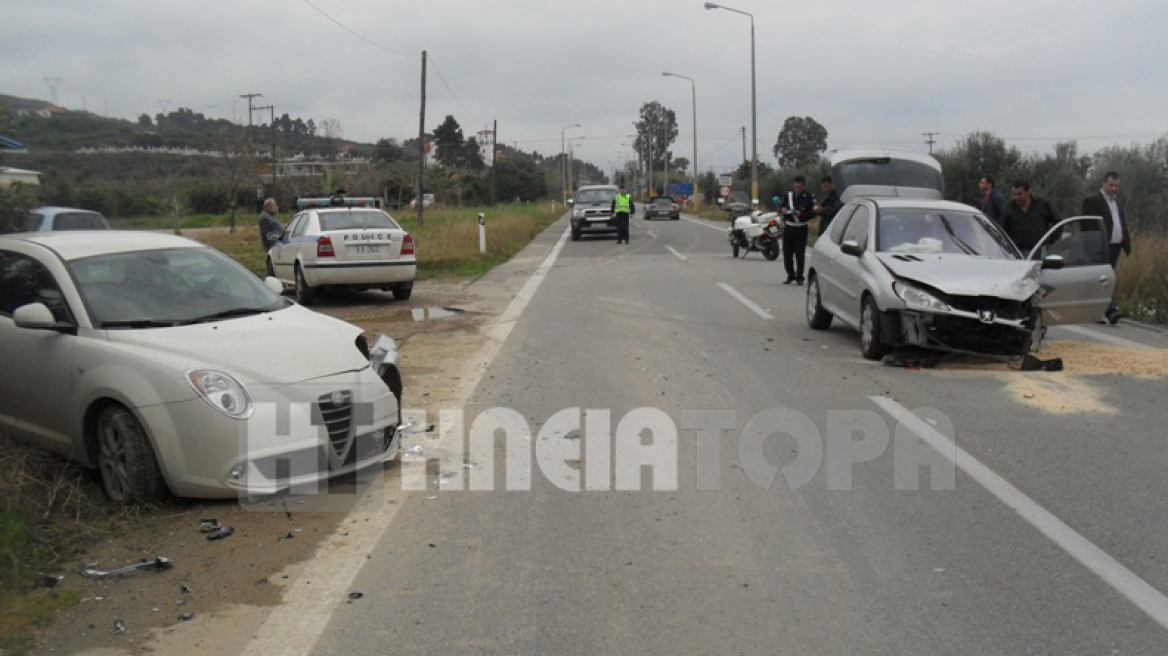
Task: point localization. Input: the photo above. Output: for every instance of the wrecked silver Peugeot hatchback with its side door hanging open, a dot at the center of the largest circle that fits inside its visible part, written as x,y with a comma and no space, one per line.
942,276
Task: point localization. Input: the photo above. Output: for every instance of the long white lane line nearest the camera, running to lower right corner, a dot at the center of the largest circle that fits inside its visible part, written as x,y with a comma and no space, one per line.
1125,582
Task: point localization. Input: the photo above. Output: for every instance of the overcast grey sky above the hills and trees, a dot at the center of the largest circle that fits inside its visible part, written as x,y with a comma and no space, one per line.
874,73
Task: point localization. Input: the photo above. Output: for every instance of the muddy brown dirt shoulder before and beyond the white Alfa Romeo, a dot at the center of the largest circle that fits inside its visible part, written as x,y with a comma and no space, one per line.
233,581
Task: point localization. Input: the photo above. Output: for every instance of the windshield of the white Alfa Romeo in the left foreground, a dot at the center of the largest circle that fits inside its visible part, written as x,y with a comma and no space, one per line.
169,288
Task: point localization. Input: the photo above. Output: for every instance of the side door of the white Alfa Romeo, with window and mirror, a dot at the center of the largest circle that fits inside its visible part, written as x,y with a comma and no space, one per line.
37,373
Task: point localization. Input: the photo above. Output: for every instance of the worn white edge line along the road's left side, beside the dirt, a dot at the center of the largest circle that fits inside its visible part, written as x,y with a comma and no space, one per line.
295,627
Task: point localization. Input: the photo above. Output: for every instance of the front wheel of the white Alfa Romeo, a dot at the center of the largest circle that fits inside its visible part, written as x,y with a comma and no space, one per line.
126,460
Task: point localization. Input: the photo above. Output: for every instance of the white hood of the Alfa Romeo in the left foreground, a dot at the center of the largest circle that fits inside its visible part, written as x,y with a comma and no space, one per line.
284,347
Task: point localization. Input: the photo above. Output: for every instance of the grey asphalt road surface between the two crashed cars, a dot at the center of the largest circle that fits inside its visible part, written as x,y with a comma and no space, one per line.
1048,540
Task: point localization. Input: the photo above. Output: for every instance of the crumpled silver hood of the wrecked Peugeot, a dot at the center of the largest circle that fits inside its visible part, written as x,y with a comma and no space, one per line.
965,276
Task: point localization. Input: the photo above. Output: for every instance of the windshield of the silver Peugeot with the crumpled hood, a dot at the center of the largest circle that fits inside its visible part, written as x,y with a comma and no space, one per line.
921,231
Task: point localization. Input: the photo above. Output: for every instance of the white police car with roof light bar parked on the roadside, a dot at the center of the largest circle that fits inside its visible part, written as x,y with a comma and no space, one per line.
344,243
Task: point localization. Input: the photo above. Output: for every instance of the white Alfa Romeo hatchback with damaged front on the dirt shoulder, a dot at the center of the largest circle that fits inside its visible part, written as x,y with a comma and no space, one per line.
168,366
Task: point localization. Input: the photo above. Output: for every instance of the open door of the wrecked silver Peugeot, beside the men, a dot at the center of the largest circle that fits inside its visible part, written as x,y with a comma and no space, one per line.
1081,291
